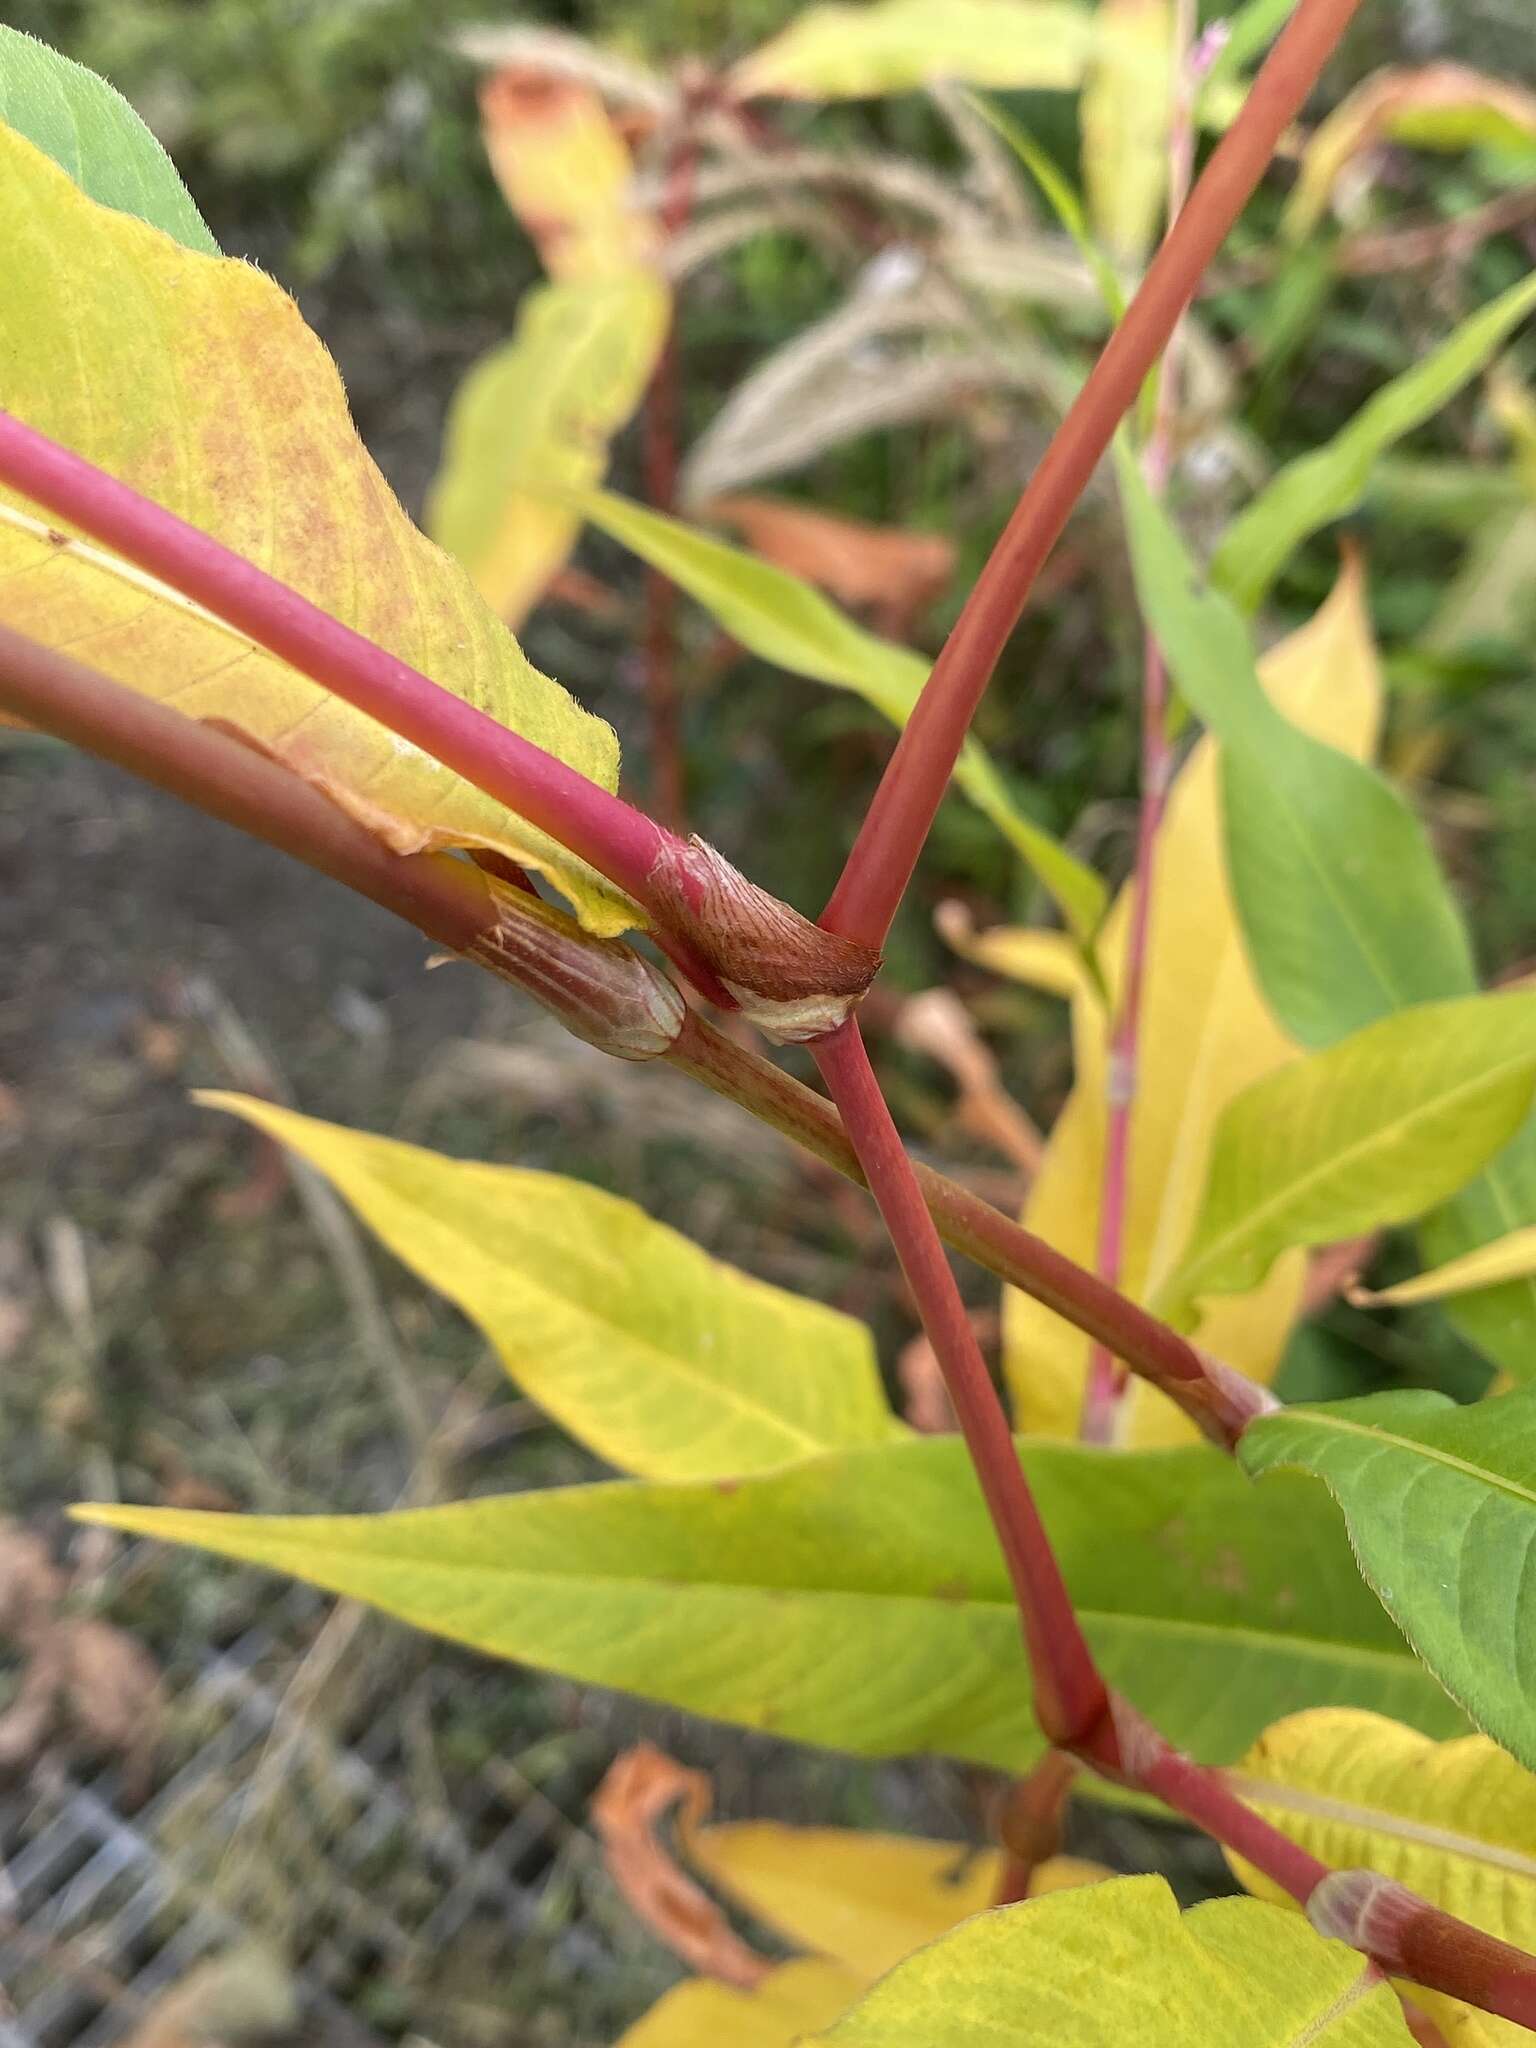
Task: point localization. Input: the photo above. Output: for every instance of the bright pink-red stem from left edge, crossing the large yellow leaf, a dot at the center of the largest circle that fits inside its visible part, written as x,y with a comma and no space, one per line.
607,833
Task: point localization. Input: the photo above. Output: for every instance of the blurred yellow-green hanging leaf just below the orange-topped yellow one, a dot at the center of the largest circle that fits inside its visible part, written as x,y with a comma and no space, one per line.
531,425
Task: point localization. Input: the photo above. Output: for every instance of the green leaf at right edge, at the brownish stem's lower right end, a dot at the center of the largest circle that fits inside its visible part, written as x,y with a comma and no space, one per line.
1441,1504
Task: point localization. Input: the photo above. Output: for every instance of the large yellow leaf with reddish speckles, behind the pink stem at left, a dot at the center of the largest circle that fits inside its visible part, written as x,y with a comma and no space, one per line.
196,380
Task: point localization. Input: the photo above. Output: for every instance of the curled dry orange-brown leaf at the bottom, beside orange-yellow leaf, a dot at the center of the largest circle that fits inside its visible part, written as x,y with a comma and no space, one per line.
640,1789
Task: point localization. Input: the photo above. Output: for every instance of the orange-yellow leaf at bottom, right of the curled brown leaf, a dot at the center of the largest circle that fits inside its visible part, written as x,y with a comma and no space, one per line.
859,1897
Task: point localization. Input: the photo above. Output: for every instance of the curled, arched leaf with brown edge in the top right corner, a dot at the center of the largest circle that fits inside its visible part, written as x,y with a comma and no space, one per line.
1435,108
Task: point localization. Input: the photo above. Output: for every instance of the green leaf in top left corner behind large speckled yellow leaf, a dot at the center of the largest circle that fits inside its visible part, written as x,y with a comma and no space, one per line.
93,134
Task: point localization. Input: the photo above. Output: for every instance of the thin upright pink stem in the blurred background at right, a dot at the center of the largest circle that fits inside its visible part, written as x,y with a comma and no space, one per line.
1107,1381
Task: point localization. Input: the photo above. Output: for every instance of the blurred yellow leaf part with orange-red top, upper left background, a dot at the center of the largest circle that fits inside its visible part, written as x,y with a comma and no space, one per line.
566,173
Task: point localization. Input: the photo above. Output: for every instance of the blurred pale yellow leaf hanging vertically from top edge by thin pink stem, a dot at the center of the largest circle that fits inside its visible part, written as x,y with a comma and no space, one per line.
1125,118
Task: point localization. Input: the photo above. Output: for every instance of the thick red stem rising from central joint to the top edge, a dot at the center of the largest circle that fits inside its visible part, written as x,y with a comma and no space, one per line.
896,826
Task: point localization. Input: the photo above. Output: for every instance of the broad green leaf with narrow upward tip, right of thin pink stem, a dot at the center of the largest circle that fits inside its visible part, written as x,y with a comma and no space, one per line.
1342,904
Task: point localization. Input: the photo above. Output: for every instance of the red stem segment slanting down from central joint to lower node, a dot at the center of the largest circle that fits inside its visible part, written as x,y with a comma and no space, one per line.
1070,1699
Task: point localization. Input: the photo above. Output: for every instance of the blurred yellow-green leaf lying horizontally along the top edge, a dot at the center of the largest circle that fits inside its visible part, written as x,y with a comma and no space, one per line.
898,46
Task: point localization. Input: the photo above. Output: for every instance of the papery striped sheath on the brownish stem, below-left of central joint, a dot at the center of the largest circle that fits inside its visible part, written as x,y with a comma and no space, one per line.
599,988
